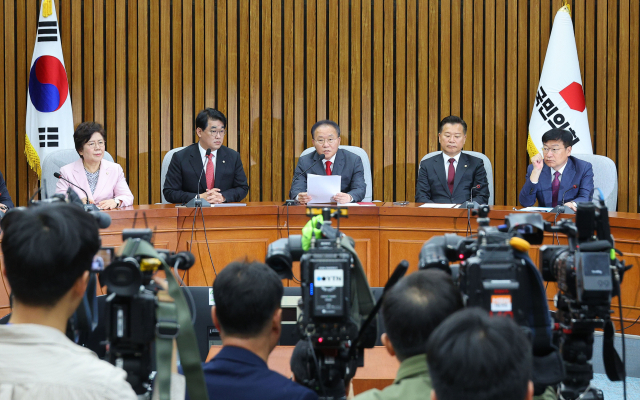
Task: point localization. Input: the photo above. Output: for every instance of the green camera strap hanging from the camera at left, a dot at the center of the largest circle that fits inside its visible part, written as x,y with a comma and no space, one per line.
174,321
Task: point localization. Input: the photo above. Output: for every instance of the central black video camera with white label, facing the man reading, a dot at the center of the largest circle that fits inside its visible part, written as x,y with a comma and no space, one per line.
329,273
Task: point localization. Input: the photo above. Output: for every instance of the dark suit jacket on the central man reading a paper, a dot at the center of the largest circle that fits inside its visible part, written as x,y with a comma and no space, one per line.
347,165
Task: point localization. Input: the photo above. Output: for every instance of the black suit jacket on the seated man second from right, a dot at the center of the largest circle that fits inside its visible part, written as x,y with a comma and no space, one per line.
432,181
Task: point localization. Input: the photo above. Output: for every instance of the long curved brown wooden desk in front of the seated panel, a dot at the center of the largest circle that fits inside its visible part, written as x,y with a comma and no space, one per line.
384,235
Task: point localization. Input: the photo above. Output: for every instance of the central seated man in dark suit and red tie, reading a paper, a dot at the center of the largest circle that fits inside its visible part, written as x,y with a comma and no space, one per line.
329,159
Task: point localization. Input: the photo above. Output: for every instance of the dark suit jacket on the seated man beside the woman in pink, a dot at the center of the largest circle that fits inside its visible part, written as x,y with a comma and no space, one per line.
181,181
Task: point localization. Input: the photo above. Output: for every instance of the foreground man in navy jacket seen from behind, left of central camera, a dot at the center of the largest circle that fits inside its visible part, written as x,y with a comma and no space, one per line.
247,313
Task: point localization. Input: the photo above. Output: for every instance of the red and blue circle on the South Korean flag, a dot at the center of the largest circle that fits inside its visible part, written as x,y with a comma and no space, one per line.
48,87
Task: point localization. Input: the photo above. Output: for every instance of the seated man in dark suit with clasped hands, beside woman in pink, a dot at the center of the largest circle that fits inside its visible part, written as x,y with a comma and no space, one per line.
222,181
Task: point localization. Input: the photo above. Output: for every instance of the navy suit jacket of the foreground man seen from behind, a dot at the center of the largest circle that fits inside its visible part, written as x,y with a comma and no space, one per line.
238,374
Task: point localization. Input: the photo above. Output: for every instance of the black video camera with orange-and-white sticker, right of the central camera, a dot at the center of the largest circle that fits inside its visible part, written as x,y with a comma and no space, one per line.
489,275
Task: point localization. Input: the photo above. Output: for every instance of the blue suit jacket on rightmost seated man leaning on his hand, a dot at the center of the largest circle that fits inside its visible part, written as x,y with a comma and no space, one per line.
576,172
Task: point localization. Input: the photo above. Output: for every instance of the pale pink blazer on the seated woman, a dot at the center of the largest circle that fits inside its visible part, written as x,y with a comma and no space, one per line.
111,182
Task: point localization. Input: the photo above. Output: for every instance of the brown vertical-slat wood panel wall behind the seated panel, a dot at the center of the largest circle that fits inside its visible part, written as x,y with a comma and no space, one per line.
386,71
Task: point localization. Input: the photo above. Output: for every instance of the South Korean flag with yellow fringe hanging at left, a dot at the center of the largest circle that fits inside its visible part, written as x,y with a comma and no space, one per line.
49,125
